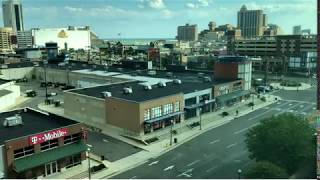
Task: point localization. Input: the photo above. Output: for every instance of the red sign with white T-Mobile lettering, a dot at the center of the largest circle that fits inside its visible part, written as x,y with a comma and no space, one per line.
40,138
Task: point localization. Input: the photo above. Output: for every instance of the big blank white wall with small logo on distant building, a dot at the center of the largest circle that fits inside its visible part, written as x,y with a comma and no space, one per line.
77,39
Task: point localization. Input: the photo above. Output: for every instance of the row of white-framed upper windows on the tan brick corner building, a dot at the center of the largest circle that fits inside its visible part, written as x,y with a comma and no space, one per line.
161,110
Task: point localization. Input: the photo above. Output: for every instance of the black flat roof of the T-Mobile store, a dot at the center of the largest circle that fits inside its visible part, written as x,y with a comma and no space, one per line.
33,122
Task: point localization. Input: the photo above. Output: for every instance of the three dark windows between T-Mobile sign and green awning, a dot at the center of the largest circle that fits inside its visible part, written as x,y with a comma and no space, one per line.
29,150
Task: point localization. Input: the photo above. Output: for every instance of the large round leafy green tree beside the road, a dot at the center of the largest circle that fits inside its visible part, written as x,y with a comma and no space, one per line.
285,140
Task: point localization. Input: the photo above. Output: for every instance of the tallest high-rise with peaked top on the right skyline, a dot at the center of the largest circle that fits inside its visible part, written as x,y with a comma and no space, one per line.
250,22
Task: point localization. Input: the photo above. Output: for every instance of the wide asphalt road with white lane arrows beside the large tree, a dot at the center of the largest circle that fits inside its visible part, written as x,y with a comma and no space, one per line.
220,152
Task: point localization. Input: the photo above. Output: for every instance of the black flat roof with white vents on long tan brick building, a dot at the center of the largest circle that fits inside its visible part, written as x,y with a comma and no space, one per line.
139,94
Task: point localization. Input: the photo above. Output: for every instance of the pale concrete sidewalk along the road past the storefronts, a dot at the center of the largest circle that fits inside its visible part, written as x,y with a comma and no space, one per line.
184,134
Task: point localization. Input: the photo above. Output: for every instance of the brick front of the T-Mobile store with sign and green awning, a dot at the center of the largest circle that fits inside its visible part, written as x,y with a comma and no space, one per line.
44,153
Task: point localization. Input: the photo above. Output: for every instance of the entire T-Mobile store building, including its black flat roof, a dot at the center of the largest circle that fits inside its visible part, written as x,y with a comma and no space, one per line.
35,144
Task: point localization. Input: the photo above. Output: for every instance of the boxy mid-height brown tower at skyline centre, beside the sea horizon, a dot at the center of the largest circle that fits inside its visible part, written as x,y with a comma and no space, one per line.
187,33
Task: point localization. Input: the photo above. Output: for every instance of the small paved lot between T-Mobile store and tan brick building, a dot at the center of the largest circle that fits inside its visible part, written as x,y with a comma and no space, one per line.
111,148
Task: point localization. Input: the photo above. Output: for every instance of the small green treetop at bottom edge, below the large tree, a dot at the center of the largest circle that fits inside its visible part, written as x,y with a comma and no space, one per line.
266,170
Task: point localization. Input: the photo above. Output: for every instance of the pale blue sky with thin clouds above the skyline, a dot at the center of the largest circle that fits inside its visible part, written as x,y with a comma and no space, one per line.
160,18
